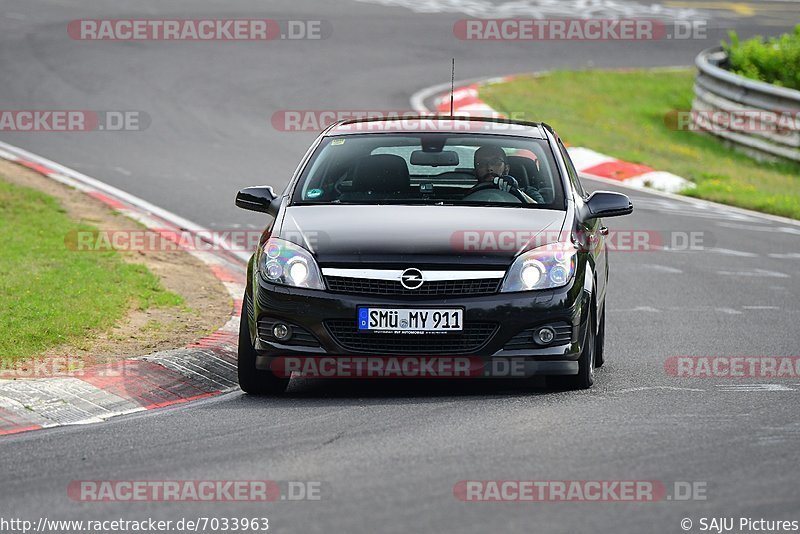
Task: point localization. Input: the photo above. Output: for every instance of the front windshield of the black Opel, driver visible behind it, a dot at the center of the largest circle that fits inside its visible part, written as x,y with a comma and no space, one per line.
436,169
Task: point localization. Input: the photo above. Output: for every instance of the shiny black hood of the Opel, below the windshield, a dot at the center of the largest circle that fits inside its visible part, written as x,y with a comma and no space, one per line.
422,235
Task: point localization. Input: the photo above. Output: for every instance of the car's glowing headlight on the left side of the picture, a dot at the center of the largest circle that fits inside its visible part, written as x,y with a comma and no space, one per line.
285,263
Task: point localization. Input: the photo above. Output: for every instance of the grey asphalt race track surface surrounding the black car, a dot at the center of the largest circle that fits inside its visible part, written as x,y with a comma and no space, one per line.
389,453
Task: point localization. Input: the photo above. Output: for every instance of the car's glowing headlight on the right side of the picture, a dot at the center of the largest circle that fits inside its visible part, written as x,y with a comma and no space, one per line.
546,267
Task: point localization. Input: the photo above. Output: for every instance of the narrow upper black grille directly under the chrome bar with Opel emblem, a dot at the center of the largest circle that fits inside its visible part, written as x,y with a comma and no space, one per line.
364,286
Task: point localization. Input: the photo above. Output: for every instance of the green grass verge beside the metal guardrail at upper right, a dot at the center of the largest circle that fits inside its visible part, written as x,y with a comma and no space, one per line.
623,114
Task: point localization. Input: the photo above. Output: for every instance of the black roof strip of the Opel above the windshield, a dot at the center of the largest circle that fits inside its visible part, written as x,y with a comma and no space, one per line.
438,124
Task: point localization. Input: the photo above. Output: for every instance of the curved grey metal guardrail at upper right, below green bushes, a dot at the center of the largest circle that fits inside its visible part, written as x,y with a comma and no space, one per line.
769,116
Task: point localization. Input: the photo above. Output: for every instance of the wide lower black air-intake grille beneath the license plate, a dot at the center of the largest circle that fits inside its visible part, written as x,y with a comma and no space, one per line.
474,336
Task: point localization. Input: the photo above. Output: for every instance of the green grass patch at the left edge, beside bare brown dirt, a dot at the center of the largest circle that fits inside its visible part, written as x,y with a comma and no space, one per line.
50,295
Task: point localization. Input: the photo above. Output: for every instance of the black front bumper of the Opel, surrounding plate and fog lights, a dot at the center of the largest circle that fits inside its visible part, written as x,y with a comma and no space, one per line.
512,314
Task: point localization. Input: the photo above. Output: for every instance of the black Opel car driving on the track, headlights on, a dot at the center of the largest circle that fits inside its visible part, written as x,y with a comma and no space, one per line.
447,237
